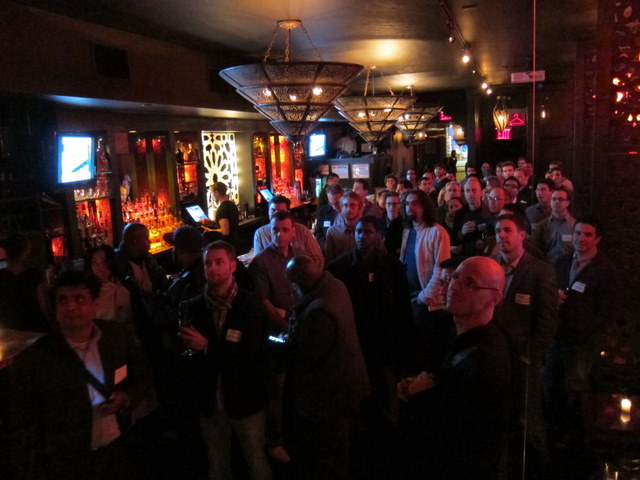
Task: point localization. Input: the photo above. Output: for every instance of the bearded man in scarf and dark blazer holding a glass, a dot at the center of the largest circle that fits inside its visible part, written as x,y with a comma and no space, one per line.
228,333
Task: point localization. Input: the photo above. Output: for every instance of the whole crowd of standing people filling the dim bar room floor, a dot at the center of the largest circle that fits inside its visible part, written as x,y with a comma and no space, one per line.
434,329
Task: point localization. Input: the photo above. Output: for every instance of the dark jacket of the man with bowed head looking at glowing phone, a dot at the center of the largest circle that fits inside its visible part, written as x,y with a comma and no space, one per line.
326,373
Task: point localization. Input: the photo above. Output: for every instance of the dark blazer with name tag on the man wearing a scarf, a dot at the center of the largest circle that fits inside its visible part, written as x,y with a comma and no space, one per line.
235,357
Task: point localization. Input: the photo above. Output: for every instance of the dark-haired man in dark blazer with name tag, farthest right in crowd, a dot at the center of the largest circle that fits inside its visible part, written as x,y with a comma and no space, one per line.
589,305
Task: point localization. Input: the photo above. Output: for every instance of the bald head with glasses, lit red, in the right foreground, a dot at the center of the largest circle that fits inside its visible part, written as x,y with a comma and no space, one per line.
474,292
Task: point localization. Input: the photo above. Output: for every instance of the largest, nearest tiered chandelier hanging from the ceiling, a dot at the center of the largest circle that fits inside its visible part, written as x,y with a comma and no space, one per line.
293,95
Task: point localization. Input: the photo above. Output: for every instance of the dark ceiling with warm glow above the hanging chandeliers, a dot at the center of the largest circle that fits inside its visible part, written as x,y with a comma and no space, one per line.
407,40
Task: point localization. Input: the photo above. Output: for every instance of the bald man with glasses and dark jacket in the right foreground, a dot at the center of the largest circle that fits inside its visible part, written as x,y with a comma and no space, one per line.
463,414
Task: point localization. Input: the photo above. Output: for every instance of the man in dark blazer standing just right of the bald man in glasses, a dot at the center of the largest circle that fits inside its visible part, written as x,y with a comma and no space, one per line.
528,316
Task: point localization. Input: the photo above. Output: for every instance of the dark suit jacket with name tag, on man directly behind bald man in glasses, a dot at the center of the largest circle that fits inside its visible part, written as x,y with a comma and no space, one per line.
528,311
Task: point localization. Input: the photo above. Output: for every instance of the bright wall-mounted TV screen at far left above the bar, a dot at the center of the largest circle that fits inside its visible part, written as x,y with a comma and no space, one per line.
76,158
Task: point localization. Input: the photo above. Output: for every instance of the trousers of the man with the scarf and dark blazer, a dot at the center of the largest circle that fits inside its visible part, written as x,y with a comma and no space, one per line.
217,431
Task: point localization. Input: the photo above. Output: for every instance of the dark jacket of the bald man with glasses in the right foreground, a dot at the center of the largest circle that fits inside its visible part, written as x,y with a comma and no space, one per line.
463,419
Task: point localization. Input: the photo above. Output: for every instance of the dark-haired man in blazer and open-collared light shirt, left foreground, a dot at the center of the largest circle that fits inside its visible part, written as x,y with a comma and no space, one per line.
70,392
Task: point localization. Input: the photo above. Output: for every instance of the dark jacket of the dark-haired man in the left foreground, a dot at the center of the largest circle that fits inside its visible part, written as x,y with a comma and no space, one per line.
50,417
